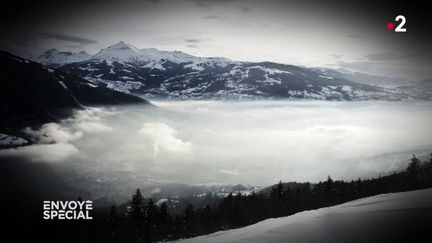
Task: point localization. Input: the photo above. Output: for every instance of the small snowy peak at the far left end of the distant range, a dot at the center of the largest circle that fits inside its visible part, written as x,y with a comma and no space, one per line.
55,58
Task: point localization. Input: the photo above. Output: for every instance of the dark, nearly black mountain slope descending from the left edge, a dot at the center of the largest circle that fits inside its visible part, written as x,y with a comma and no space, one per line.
31,94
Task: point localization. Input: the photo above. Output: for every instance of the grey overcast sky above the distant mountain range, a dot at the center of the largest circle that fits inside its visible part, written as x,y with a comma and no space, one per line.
335,34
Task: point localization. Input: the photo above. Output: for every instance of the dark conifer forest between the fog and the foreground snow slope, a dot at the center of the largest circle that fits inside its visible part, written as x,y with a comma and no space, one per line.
141,220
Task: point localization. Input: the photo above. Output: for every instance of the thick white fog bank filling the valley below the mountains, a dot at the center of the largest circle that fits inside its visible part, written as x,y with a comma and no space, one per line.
253,143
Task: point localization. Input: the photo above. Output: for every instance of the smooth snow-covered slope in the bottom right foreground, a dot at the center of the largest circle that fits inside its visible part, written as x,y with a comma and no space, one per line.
396,217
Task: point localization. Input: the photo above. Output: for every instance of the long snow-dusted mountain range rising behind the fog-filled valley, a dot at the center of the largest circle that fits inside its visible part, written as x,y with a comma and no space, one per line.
176,75
